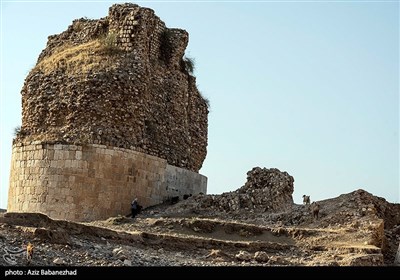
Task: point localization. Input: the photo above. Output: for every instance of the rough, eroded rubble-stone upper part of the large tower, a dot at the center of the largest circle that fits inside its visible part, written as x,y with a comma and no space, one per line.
122,81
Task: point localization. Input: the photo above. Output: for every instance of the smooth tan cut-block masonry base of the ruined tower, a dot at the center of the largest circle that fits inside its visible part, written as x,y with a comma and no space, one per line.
91,182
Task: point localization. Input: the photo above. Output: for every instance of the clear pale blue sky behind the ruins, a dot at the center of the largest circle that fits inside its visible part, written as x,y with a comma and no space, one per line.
311,88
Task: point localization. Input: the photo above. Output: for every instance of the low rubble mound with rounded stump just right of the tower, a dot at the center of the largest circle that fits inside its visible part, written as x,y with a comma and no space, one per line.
266,191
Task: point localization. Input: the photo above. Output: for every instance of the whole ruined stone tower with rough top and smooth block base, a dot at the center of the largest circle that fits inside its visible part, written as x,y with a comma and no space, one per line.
110,112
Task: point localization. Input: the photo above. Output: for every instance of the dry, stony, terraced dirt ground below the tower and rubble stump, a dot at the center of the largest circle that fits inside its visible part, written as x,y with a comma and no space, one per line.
355,229
